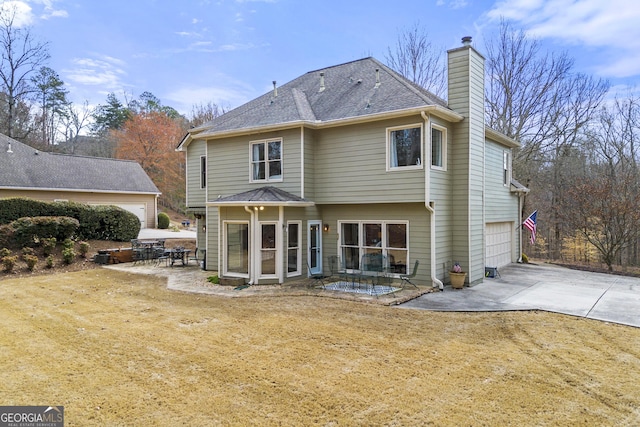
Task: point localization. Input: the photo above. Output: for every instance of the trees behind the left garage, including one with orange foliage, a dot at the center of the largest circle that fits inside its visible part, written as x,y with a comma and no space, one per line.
35,110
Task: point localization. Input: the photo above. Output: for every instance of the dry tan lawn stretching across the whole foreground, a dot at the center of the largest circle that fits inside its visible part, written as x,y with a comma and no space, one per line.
119,349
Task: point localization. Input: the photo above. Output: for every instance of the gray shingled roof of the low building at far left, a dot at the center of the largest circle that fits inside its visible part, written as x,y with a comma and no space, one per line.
27,167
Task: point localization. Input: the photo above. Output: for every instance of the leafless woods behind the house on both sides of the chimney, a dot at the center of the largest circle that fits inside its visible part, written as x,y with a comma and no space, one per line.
578,153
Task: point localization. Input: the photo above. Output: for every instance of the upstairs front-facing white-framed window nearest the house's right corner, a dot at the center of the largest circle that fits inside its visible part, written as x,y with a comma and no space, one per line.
404,147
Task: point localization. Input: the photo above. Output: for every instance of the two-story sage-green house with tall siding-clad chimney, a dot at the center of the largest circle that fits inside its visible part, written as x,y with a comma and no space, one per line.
350,160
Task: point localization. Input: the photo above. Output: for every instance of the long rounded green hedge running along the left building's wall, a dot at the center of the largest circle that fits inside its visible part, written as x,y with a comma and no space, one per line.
95,222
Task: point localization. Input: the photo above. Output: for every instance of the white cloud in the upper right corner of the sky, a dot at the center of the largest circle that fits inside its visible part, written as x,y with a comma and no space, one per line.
612,25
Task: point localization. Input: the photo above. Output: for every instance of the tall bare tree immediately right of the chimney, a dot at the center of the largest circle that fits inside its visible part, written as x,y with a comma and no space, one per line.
537,98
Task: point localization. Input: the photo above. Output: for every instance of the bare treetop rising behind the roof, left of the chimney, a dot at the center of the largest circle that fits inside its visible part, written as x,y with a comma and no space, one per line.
417,59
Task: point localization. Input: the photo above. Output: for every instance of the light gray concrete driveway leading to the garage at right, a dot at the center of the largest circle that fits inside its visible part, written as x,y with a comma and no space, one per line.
544,287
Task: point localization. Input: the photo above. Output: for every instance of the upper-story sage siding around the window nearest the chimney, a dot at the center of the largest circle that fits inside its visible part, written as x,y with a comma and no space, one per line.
351,164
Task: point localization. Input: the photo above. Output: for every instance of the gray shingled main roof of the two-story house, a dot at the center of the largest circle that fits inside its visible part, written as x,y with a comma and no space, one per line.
350,90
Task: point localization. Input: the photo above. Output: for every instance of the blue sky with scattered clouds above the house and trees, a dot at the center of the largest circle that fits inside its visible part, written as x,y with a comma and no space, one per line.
229,51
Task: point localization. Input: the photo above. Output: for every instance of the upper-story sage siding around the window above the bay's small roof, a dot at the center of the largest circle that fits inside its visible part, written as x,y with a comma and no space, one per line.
228,170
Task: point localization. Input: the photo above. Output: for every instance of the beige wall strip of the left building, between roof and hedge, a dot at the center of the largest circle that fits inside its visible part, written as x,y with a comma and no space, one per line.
148,200
